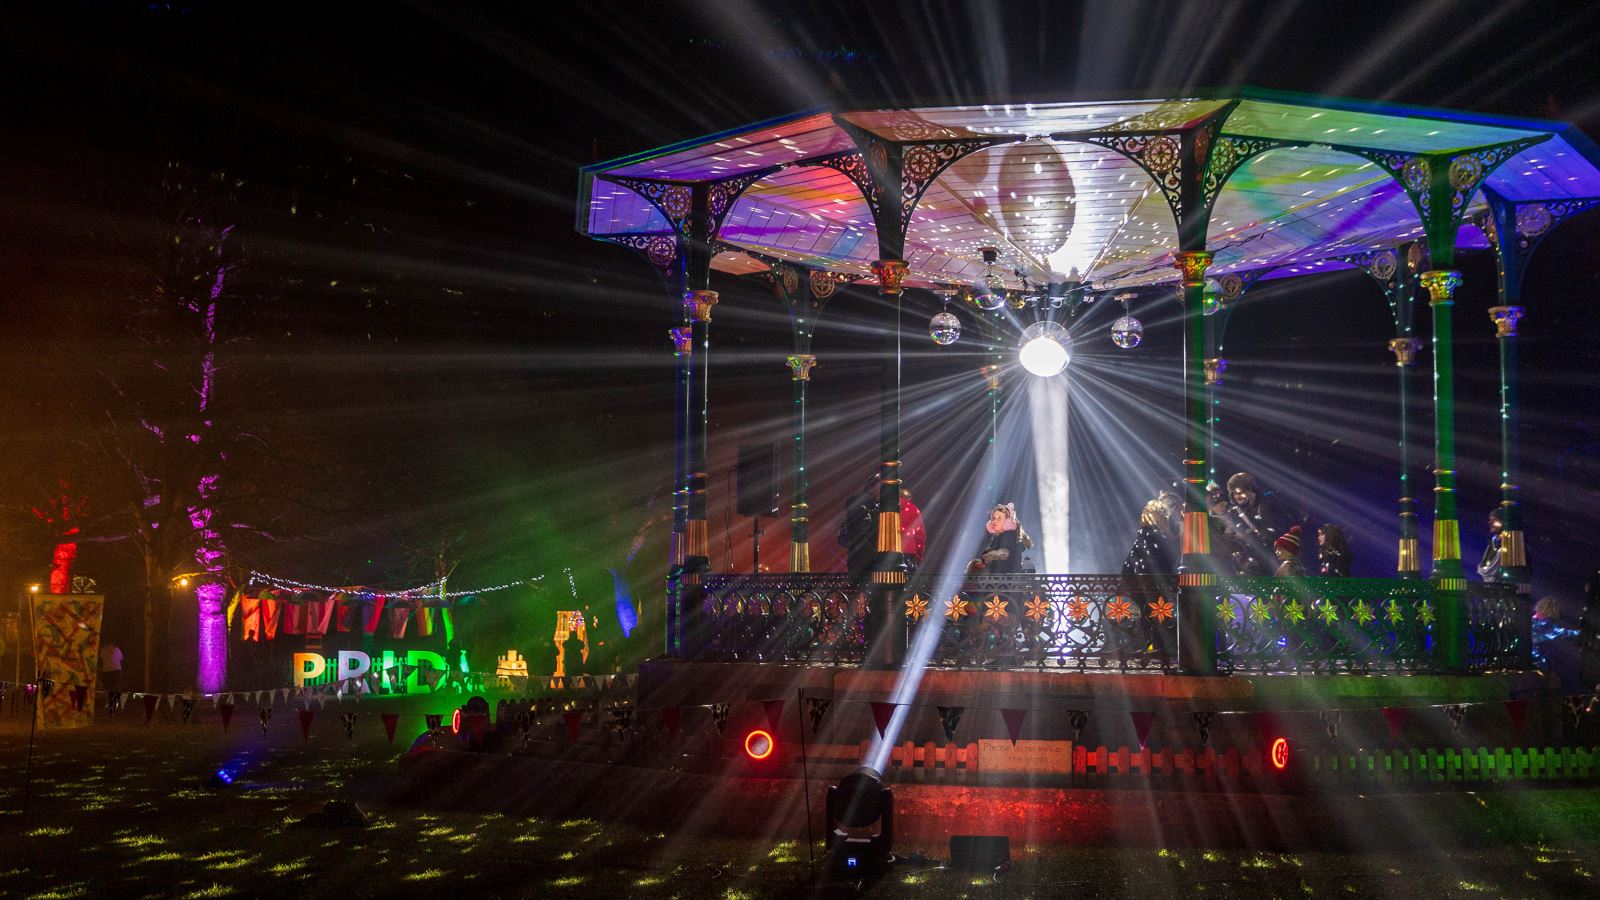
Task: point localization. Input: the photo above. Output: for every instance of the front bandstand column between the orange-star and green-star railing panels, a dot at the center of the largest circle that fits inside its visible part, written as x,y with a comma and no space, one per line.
1196,617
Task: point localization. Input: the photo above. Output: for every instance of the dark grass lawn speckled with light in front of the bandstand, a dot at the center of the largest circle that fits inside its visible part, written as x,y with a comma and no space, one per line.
121,811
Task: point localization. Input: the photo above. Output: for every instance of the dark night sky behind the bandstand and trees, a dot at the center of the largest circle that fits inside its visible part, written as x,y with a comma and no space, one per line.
476,358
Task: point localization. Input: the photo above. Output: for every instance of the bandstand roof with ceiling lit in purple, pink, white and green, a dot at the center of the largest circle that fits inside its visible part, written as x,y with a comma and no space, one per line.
1058,204
